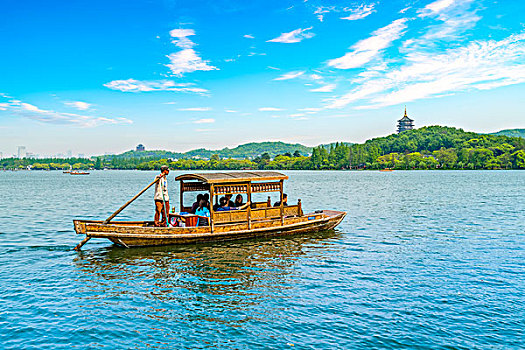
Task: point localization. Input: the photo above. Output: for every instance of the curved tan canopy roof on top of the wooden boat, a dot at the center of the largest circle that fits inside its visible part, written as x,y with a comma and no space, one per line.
233,177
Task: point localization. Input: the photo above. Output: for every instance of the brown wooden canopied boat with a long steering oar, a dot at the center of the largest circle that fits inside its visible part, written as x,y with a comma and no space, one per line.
259,219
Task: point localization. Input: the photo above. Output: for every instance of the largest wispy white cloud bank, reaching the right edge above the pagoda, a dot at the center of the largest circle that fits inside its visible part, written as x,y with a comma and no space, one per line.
480,65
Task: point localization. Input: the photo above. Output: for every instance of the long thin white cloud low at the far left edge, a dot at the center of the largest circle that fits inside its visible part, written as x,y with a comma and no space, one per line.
54,117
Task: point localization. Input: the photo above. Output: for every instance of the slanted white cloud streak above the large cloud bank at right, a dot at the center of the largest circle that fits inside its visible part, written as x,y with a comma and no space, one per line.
367,49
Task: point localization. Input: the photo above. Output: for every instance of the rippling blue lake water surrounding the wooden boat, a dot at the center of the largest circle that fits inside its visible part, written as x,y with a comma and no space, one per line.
424,259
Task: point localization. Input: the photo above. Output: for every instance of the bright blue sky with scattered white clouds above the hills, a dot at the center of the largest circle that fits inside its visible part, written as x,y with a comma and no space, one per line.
103,76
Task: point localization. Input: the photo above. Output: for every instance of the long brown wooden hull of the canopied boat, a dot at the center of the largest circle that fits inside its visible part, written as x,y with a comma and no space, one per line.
140,234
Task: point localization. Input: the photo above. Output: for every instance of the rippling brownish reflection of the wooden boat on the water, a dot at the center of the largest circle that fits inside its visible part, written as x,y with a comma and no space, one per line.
196,282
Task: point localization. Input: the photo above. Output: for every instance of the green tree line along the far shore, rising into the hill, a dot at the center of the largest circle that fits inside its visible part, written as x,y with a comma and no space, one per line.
433,147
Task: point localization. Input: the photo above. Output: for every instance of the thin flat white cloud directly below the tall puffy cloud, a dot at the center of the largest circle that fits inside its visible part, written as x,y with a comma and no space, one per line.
132,85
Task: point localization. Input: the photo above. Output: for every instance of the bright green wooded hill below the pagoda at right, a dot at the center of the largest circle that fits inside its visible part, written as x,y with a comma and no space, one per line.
439,147
